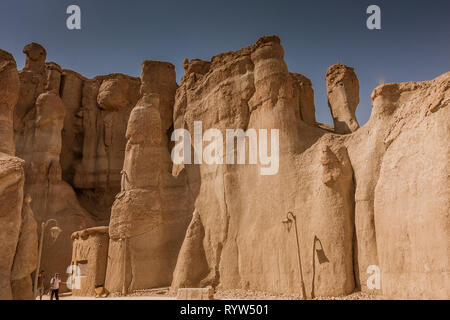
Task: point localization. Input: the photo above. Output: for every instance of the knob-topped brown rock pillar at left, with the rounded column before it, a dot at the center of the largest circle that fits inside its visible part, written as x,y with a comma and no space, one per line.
38,122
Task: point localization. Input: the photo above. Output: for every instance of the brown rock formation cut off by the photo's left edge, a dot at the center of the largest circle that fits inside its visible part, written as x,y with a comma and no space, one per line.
18,233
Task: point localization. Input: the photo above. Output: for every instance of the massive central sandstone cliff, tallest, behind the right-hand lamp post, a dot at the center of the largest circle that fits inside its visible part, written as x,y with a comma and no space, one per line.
236,238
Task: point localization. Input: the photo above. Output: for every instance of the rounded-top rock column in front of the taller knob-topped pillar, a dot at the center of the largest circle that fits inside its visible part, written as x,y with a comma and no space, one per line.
53,197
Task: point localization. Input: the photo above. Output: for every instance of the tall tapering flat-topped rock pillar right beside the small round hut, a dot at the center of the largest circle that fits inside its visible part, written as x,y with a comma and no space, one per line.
150,215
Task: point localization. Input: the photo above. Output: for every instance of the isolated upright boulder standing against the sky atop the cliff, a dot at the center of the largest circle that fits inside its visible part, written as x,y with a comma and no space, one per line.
343,97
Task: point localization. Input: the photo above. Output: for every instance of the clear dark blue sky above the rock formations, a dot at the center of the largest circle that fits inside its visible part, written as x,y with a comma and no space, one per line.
116,36
